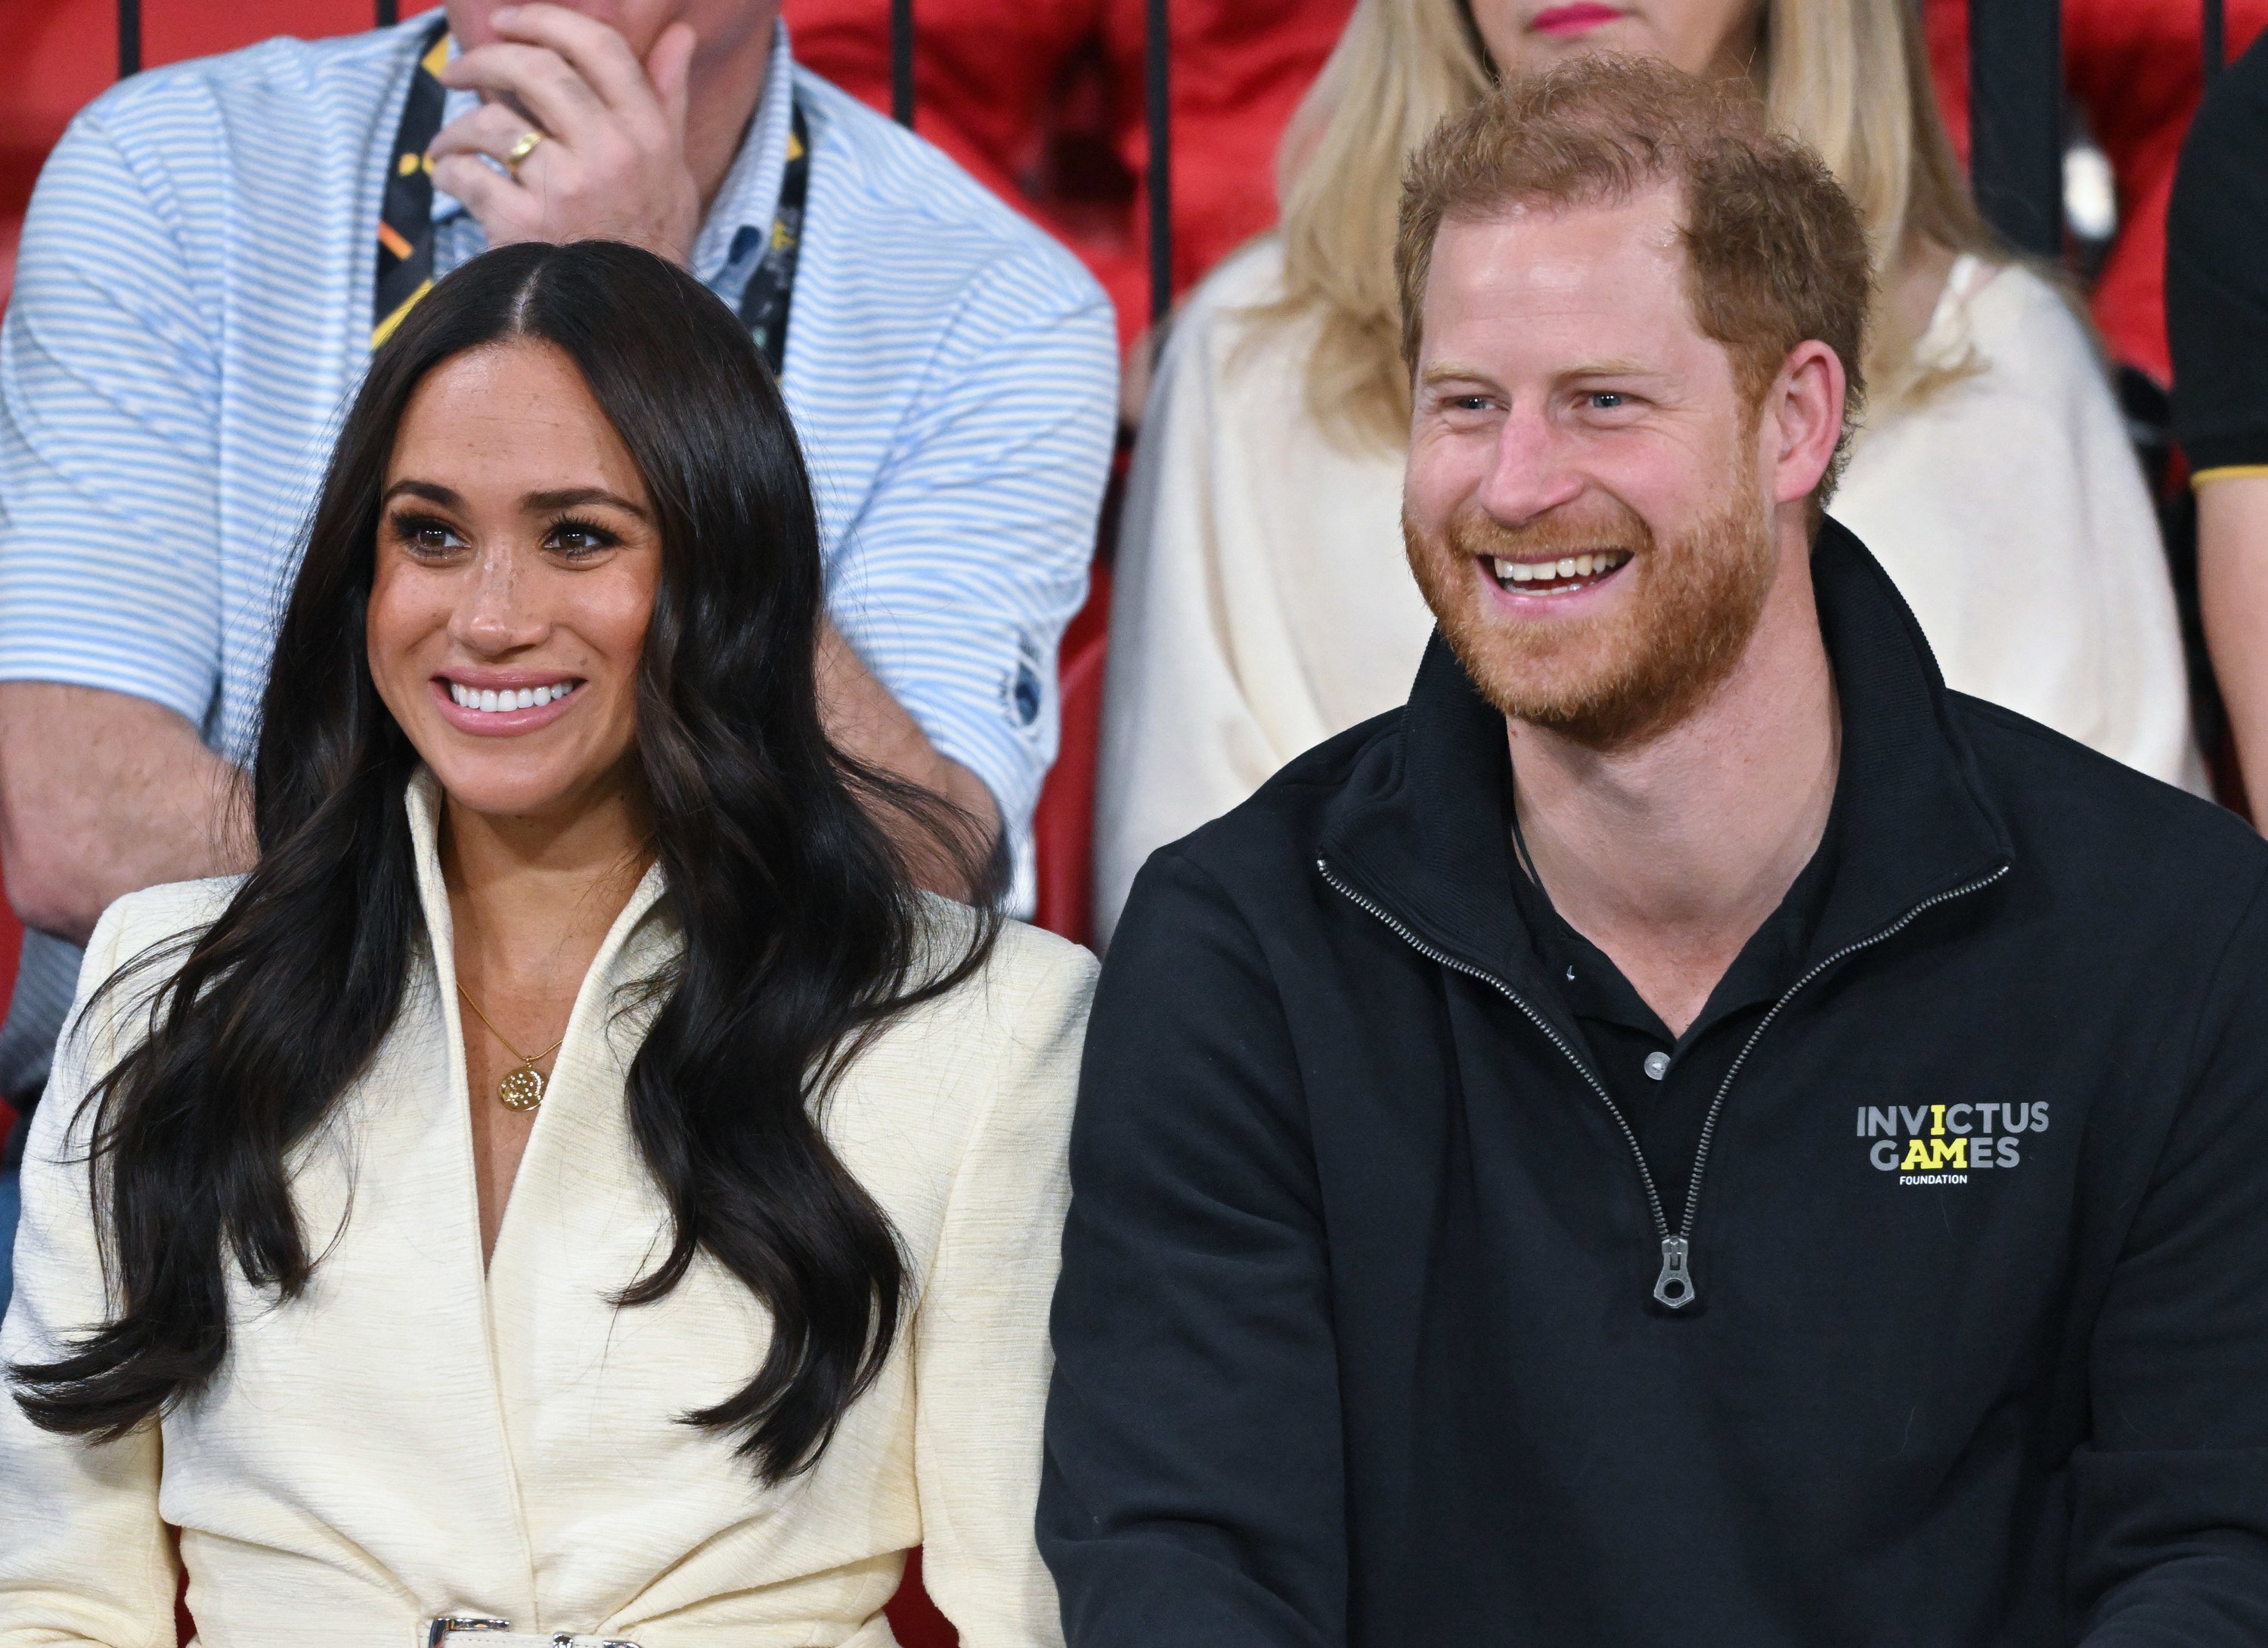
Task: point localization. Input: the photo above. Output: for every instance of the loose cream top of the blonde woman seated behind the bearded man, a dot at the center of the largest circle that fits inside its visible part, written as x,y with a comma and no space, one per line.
1262,597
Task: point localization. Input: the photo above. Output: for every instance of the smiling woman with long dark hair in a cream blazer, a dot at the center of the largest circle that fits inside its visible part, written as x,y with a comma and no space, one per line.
575,1187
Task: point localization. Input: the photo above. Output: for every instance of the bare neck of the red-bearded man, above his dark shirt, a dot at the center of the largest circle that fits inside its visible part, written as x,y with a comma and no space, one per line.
1670,856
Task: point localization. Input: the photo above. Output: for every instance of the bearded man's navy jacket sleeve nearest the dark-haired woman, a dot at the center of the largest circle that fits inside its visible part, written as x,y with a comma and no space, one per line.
1196,1484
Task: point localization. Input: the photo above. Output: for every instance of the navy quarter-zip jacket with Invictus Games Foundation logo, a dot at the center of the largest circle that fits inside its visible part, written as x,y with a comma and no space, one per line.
1360,1330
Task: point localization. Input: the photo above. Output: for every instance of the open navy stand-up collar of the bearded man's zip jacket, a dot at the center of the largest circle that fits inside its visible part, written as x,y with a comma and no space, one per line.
1421,824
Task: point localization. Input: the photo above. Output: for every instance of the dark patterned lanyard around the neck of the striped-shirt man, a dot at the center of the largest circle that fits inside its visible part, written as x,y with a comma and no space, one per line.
407,216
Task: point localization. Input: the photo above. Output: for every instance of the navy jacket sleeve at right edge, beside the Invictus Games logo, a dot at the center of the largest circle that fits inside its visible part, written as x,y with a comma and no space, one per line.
2169,1536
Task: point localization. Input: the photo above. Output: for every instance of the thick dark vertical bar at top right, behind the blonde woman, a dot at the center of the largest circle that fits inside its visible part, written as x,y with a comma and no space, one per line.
2017,121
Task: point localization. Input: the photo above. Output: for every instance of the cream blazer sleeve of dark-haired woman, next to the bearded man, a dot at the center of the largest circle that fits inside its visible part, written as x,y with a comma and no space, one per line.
981,1332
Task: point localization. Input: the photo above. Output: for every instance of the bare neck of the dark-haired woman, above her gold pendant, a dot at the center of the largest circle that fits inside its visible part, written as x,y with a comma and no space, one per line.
534,899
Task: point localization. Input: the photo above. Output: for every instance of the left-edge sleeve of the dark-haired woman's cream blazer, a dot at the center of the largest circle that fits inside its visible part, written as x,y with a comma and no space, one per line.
85,1554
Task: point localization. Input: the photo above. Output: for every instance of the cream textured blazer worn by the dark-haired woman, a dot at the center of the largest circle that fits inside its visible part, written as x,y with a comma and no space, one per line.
418,1438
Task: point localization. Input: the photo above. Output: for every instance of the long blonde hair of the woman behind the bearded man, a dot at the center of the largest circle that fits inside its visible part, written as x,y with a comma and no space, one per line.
1850,78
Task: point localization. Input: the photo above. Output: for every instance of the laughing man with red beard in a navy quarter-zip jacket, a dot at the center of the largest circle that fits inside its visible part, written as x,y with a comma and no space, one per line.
1689,1132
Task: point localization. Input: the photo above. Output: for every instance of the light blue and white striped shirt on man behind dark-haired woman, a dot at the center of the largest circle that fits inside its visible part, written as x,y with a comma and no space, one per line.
192,316
